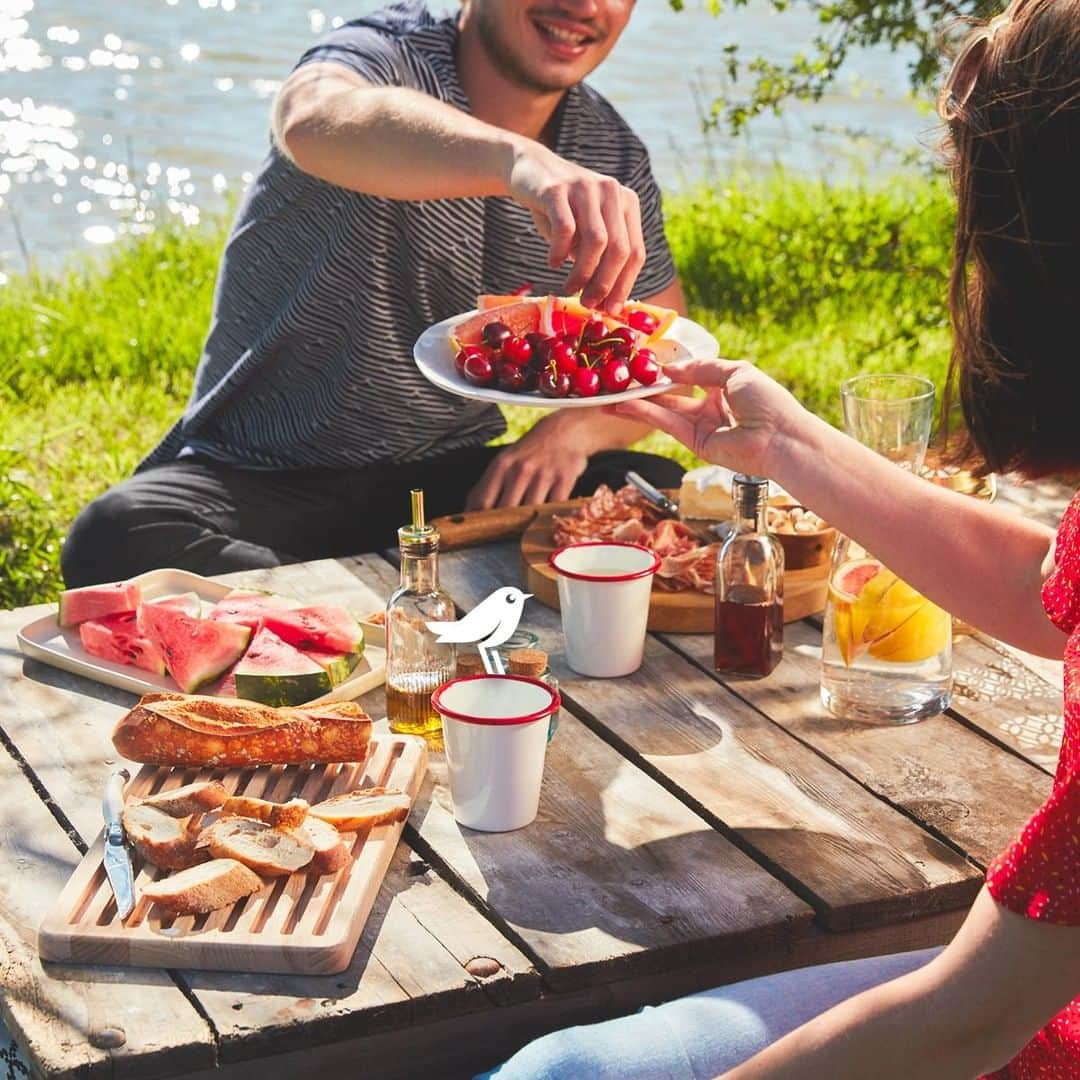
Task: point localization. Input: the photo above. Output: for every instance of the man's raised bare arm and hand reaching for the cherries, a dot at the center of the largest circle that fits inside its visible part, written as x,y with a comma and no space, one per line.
398,143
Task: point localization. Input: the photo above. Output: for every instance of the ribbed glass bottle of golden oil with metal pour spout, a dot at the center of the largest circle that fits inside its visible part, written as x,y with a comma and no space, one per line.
416,664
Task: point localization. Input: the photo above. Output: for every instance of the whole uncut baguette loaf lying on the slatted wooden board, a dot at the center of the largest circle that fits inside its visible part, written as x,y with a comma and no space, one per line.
196,731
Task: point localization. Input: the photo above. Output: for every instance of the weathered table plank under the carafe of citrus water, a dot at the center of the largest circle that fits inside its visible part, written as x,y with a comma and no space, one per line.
939,772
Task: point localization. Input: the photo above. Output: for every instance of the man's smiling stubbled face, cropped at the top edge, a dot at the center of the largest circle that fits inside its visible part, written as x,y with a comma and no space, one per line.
549,46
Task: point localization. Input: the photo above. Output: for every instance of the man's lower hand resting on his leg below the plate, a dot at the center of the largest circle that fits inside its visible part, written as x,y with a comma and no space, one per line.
542,467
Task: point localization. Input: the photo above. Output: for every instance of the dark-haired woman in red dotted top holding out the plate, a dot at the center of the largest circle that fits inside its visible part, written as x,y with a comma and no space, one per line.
1002,1000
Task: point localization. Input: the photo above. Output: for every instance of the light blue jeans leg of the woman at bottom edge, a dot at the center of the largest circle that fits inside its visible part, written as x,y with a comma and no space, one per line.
701,1036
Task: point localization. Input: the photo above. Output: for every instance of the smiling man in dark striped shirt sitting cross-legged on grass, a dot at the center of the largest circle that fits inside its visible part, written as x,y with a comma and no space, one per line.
417,161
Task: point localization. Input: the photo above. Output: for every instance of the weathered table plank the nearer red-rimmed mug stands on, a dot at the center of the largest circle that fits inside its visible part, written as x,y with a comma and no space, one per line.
653,884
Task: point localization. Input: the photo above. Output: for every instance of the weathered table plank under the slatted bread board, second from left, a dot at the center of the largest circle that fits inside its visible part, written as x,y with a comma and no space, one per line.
413,955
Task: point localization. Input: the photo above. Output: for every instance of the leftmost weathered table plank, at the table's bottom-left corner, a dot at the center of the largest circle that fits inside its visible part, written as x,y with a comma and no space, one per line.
71,1022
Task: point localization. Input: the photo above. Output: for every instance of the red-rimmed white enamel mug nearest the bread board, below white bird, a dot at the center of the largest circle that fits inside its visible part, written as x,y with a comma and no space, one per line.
495,728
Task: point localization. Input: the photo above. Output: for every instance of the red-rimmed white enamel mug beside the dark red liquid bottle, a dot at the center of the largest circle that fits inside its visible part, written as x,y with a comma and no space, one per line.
604,592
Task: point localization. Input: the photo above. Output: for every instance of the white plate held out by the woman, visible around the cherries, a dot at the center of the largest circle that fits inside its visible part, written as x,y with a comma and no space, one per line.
435,357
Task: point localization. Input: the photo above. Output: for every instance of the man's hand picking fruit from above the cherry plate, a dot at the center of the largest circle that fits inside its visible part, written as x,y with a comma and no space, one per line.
585,217
